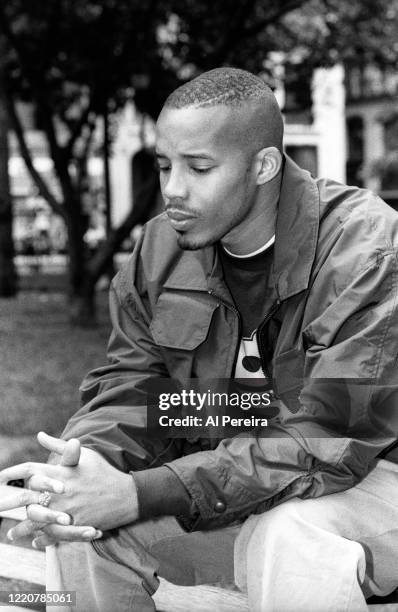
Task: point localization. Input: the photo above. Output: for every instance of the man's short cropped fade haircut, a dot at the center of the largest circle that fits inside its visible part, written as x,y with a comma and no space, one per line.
234,88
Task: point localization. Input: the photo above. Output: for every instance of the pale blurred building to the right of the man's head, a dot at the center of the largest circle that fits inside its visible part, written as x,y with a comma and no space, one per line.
349,129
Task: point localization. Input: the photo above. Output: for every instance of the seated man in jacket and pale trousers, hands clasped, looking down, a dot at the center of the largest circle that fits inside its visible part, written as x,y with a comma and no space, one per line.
254,270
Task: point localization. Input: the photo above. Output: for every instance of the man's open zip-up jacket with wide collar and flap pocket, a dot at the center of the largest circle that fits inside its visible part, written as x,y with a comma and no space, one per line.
333,363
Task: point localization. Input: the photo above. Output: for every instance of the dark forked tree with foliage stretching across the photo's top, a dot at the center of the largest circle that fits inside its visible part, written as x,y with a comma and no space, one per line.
72,59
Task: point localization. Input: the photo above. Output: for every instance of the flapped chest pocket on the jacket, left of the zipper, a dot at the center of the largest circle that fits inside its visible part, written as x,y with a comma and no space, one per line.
181,320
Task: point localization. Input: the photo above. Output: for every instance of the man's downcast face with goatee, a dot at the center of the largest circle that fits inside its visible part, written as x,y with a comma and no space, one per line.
206,173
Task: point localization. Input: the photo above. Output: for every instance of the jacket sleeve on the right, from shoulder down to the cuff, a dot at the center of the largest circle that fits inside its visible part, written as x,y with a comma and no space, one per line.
346,417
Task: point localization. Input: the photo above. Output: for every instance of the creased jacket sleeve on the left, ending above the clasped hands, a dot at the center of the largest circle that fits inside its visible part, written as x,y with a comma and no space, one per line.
112,419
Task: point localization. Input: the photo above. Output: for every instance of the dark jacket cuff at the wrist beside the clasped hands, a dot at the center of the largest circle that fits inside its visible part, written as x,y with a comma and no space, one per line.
160,492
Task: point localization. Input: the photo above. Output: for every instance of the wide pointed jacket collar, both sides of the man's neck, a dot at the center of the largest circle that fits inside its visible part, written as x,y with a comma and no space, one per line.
295,243
